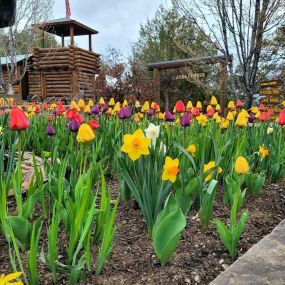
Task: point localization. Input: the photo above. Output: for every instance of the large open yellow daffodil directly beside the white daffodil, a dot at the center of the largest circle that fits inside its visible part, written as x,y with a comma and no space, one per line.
136,144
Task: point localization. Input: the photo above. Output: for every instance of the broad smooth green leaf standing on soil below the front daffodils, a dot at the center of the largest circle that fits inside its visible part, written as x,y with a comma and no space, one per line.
167,230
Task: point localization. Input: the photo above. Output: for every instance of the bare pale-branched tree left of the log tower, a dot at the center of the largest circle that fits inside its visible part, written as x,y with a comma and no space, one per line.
28,12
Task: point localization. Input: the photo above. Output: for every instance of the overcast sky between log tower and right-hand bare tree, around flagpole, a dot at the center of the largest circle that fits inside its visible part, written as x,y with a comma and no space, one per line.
117,21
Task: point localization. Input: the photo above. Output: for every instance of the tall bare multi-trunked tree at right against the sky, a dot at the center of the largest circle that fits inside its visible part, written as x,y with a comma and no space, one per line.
237,27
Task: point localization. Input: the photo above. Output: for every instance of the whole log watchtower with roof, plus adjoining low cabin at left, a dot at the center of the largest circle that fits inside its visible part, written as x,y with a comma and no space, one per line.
63,72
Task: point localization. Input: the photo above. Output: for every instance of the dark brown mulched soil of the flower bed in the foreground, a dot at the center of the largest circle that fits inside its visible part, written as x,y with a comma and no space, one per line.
200,256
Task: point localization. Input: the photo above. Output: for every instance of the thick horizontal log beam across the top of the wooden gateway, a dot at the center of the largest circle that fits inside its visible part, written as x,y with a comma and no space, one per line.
186,62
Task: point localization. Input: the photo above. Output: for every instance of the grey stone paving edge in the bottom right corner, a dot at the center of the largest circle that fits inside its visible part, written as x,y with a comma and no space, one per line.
263,264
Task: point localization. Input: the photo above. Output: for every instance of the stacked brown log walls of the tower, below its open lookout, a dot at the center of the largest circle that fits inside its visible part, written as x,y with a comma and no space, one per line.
63,72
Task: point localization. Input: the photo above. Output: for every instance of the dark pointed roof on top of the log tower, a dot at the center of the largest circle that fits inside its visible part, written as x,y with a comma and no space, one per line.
61,27
